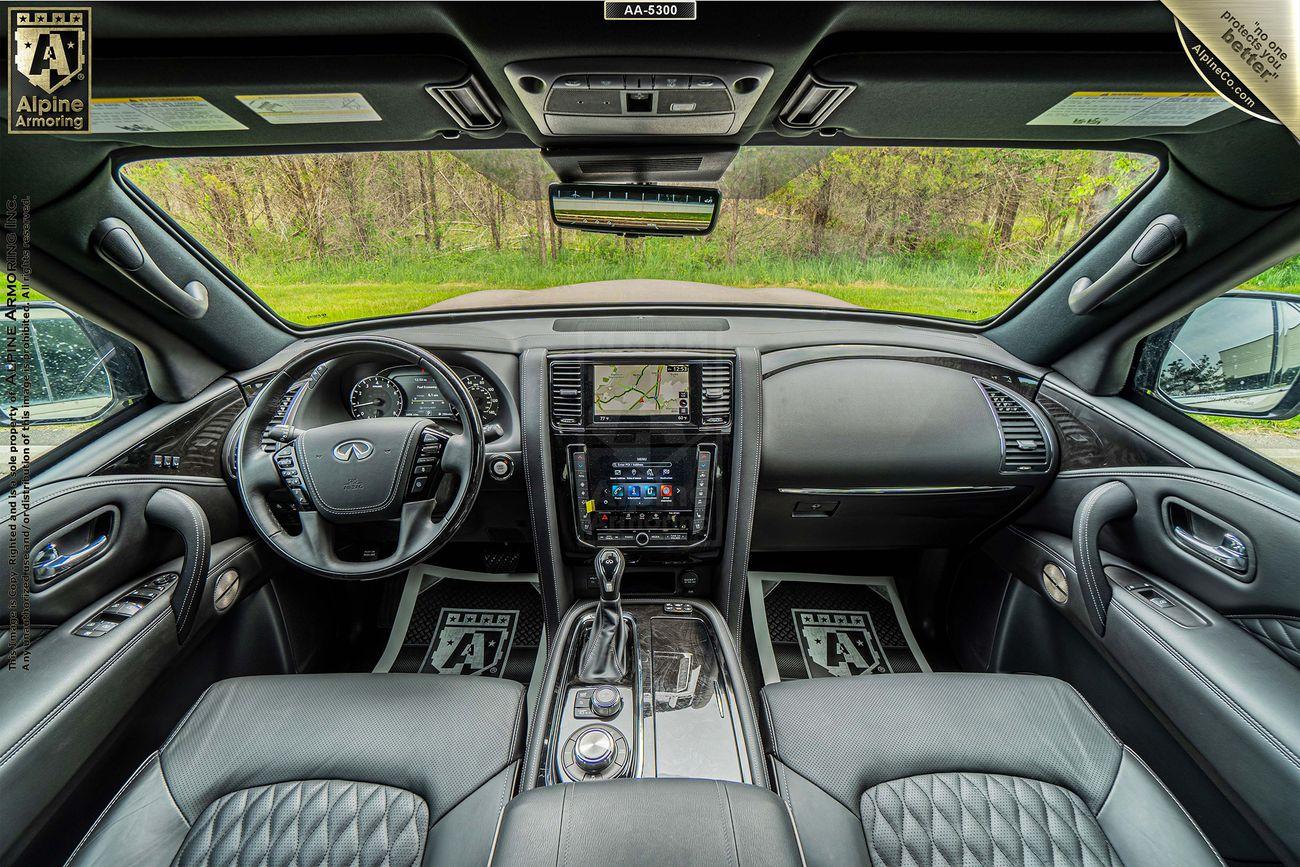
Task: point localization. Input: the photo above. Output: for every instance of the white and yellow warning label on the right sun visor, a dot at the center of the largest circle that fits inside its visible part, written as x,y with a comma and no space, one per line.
1132,109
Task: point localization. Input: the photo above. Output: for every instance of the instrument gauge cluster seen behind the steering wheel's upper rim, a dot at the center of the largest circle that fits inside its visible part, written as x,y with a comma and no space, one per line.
411,392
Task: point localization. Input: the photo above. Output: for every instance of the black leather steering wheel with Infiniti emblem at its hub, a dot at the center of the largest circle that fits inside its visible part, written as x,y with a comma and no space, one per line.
359,471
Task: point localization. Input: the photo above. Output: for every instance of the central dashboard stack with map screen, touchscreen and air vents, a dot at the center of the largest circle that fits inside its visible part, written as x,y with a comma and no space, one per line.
644,440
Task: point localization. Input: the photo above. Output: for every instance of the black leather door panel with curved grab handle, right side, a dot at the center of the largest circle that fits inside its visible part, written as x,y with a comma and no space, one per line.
1203,641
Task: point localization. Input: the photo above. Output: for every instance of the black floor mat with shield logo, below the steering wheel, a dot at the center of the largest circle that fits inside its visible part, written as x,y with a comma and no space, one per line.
489,628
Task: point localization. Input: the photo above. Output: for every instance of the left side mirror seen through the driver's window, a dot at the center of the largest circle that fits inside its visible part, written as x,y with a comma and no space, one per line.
68,379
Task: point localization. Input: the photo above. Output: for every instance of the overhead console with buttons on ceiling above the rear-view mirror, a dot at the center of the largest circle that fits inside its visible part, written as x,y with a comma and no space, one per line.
655,97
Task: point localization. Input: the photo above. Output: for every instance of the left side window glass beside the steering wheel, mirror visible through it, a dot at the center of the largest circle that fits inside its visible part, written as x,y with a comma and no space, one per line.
73,376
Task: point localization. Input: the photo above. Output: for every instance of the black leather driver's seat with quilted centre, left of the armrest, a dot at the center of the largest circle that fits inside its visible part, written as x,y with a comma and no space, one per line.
396,770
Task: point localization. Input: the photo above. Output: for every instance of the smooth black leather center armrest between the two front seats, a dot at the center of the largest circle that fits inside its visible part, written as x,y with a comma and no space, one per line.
648,822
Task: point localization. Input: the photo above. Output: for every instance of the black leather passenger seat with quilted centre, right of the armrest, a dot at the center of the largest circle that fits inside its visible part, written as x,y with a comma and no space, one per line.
957,769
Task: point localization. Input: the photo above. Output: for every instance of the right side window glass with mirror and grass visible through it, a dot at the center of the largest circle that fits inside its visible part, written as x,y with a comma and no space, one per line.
1234,366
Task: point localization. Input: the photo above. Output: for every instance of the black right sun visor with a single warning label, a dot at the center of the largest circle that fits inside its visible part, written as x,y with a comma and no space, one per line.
1015,97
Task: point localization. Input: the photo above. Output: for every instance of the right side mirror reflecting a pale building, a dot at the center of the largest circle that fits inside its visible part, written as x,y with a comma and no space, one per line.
1237,356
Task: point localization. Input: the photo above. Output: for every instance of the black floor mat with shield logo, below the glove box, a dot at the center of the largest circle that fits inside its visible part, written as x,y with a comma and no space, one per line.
831,627
